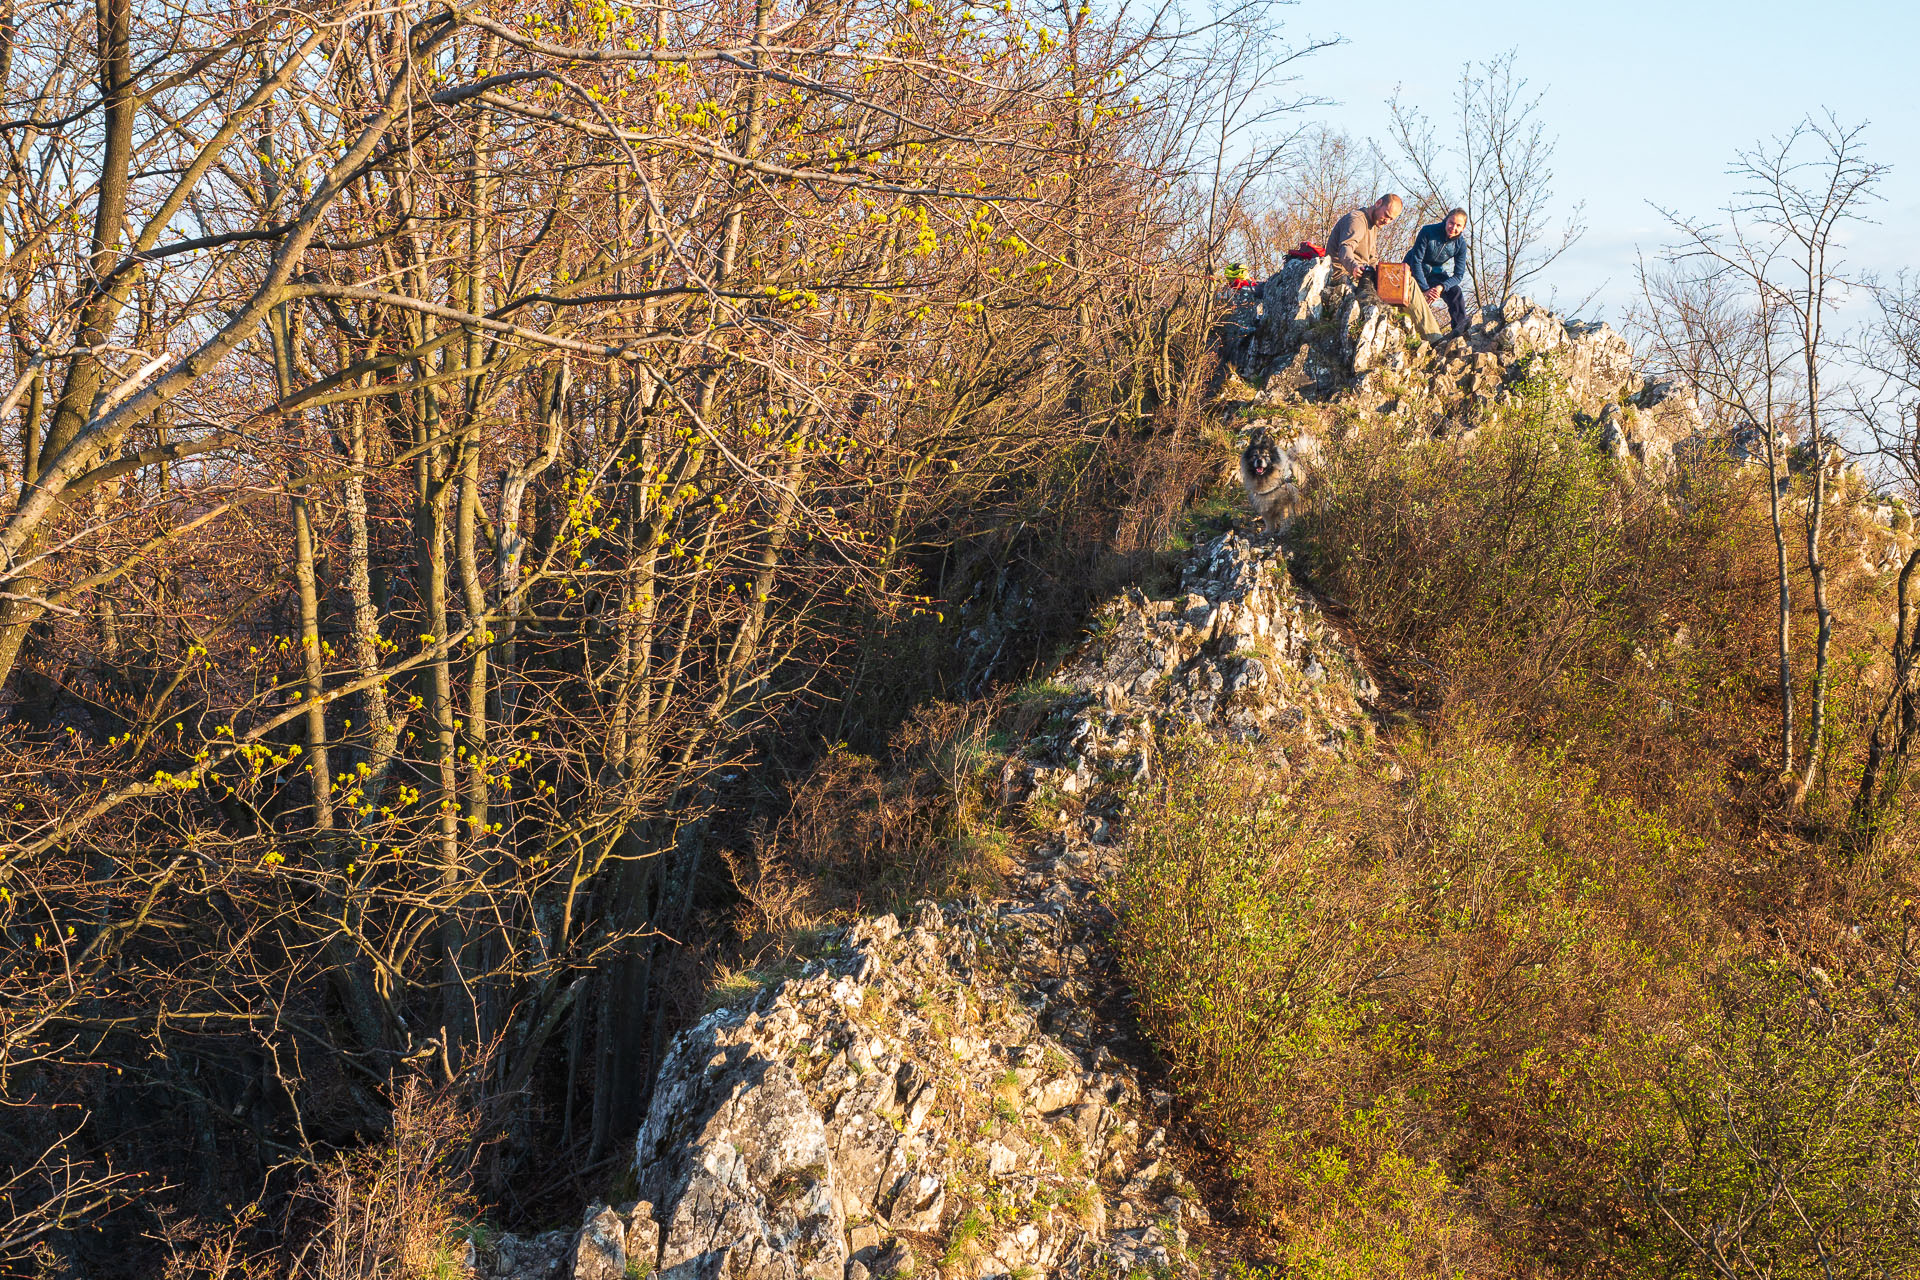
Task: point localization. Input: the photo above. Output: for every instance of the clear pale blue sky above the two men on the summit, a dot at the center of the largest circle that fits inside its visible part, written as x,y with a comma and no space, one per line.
1650,103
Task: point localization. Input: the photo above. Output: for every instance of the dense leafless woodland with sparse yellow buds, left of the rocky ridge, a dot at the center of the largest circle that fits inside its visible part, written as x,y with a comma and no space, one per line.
443,450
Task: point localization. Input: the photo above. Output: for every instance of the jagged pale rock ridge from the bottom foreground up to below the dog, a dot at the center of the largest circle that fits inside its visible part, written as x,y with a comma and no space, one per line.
961,1093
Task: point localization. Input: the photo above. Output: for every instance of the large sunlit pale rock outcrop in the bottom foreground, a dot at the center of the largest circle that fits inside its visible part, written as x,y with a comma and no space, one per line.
882,1097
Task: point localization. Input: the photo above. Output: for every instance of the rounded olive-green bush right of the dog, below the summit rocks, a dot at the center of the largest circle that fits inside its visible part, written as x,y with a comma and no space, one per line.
1508,567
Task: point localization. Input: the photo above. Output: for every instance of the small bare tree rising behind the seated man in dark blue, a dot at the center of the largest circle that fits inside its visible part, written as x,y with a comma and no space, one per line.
1497,160
